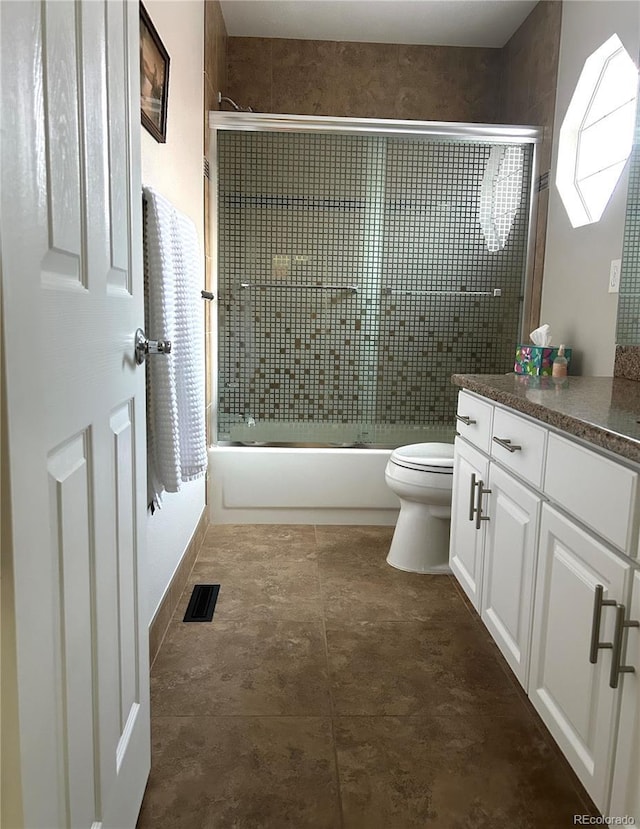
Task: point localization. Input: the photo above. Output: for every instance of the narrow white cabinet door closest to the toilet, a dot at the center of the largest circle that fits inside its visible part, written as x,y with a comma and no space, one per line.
470,470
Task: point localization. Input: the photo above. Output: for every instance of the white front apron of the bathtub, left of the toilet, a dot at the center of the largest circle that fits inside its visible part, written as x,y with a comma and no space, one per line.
299,485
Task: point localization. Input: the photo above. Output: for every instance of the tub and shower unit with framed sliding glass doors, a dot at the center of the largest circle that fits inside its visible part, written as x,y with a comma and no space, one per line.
360,263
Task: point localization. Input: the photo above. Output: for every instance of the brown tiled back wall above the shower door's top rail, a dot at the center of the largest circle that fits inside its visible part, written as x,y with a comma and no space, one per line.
369,80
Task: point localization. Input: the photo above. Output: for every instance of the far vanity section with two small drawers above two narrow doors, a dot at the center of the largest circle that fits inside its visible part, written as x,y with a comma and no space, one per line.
494,523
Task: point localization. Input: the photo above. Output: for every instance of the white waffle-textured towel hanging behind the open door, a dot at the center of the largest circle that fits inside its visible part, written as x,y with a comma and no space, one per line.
175,382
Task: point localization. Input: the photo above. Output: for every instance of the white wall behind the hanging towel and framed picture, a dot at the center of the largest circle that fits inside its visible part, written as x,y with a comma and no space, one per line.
175,169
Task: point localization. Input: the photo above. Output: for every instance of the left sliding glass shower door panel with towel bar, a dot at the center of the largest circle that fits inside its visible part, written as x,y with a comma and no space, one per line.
300,221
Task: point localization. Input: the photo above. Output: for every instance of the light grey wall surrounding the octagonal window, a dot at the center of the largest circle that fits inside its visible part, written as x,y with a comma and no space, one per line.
575,298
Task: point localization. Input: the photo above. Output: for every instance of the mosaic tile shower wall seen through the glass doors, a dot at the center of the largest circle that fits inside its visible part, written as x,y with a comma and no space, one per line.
354,278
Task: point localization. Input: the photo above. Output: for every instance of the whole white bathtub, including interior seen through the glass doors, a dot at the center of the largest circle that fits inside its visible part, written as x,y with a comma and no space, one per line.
255,481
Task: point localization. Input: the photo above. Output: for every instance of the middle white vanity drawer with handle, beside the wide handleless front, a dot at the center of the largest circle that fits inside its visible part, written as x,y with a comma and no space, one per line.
519,445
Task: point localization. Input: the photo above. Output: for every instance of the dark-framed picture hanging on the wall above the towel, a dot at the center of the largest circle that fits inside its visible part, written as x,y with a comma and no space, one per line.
154,79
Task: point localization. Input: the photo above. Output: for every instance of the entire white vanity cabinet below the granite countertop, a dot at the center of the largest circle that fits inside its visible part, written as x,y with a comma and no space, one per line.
544,547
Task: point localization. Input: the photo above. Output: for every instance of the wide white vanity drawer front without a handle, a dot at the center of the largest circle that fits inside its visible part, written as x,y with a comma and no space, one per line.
598,491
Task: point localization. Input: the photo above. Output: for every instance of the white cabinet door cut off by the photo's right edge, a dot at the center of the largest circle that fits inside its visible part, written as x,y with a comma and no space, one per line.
625,796
